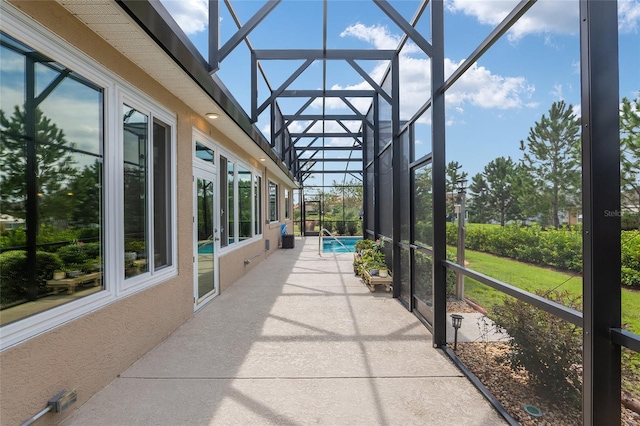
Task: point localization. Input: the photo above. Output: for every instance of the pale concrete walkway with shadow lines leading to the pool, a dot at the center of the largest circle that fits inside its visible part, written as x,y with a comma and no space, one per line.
299,340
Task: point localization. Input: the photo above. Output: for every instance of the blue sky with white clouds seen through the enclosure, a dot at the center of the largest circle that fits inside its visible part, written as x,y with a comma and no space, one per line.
488,111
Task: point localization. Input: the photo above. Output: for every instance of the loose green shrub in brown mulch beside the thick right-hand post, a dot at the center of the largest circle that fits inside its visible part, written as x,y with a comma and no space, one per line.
547,347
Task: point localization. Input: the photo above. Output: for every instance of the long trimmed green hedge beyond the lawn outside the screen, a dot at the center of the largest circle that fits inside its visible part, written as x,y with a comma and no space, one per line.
561,248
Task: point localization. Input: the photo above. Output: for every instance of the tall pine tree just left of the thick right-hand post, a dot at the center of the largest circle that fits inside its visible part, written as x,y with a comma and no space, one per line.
552,158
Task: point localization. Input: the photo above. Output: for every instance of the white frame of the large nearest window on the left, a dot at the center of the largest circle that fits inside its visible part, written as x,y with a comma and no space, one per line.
24,29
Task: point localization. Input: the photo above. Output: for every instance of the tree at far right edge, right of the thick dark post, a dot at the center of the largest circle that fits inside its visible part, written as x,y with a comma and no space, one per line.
630,158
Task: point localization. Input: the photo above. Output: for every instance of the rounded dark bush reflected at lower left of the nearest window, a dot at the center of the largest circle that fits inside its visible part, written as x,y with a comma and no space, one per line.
13,274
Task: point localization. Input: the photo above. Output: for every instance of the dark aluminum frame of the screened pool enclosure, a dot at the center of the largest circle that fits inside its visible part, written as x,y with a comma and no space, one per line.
601,319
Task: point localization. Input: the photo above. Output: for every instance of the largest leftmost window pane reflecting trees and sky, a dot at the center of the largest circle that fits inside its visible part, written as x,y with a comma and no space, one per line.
51,181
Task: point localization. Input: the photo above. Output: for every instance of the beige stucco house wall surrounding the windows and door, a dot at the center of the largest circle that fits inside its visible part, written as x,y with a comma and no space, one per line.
88,353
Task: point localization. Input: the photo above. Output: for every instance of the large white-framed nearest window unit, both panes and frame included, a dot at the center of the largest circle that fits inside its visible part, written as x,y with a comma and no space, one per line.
56,176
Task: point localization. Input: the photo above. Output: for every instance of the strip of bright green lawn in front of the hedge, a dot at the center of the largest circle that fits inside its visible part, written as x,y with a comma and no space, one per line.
530,278
